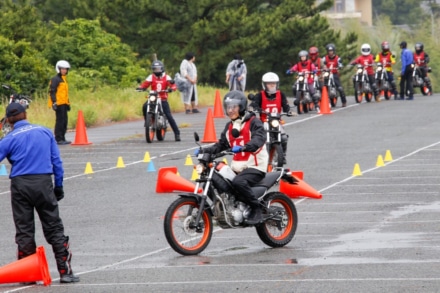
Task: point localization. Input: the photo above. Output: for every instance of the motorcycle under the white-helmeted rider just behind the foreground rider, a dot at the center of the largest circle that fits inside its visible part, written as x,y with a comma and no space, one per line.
272,125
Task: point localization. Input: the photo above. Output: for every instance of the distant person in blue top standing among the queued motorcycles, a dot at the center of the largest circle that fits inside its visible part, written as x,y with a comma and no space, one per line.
407,58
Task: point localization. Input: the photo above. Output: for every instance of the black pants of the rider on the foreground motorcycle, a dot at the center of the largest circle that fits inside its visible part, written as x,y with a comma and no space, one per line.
243,182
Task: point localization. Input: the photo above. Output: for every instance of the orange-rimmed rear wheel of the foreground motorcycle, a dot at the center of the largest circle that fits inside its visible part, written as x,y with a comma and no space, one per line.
279,230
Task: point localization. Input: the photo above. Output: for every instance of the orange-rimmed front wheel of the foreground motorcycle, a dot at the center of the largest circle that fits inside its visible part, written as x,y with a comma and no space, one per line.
180,230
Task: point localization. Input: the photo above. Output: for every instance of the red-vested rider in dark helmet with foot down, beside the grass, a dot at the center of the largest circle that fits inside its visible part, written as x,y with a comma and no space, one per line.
163,84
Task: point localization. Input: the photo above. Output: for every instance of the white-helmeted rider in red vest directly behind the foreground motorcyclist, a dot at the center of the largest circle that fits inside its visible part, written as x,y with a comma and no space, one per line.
272,100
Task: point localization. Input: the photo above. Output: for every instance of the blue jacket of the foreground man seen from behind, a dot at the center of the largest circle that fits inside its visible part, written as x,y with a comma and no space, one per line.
31,150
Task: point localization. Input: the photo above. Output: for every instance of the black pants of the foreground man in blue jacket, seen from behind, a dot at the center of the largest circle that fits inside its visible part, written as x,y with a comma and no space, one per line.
36,192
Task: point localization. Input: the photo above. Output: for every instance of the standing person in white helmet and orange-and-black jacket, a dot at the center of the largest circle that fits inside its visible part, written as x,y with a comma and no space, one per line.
59,100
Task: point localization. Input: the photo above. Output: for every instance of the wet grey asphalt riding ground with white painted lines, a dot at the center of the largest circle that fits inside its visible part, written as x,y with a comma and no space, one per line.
376,232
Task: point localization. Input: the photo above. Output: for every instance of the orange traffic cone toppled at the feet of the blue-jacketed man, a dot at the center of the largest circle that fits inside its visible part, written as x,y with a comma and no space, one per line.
33,268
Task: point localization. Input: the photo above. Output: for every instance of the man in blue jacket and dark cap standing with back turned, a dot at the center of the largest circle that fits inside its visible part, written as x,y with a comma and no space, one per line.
34,156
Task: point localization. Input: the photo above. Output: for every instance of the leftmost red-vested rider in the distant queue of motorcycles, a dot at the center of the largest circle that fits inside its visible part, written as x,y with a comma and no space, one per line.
306,66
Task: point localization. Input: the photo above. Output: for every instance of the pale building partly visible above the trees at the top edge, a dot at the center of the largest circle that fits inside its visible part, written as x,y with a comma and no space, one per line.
361,9
